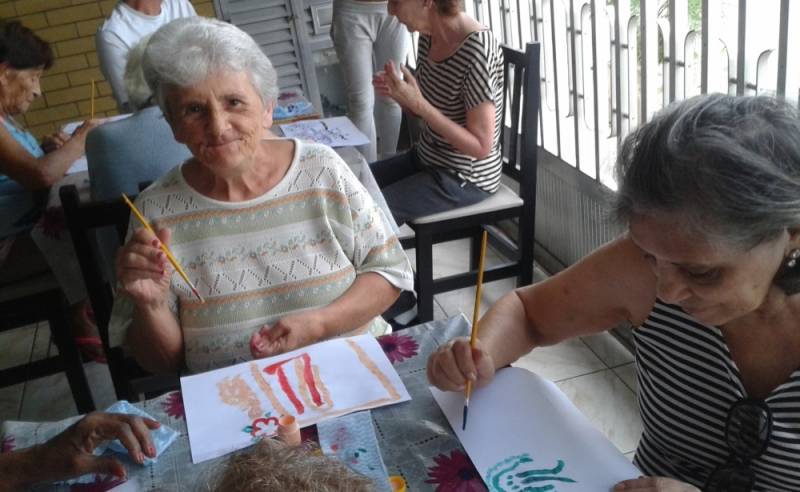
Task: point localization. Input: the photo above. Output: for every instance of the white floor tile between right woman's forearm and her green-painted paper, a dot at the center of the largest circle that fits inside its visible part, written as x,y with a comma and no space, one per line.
566,360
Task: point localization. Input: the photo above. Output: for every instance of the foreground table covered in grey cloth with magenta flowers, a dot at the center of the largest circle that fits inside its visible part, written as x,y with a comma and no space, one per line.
415,439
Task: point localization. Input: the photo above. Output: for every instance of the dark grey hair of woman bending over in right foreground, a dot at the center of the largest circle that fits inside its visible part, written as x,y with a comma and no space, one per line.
729,165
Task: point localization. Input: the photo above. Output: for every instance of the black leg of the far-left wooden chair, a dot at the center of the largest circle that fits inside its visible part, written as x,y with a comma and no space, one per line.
70,357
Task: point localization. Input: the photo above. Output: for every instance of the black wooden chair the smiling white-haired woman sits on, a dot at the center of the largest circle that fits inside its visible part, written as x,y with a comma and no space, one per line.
88,224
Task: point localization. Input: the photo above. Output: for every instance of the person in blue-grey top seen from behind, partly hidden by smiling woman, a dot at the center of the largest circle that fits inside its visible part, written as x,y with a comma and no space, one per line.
122,154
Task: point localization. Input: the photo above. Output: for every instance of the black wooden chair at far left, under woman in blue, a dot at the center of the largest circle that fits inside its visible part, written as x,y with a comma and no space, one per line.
41,299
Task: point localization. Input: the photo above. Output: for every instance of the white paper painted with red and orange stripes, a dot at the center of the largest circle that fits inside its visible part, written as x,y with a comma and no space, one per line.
230,408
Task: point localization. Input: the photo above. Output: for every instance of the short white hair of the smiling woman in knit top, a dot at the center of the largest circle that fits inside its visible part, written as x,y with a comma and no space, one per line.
186,51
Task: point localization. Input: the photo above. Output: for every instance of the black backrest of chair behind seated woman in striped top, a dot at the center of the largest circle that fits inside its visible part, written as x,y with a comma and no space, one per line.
521,82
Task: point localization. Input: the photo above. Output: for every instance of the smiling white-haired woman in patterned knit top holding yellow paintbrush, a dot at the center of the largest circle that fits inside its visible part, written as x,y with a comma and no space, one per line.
284,244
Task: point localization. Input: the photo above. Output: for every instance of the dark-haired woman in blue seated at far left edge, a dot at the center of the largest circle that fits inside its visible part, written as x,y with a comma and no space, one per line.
28,169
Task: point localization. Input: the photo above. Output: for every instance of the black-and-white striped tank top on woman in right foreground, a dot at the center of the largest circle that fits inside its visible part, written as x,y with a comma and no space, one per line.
687,383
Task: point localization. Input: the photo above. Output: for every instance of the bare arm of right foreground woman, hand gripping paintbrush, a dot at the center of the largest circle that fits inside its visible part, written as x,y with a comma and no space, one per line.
612,285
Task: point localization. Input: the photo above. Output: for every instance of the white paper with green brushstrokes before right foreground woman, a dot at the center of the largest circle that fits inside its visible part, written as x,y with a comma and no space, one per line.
523,431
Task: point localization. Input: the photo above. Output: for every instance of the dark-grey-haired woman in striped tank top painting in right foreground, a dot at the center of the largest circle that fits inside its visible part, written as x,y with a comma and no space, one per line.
708,275
